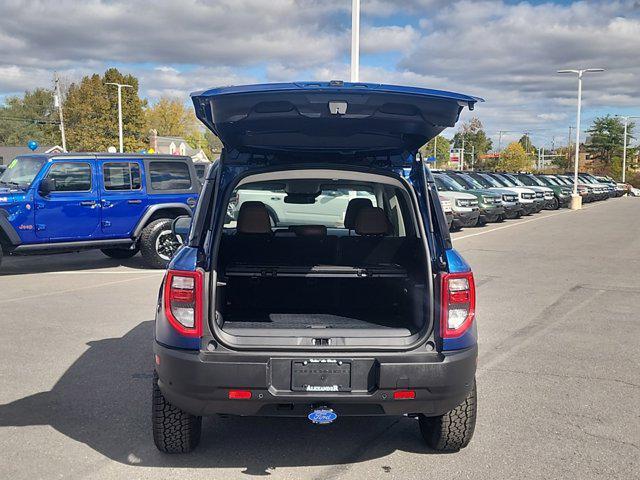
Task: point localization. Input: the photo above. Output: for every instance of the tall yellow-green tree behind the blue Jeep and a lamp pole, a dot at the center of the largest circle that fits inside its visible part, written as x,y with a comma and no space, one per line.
91,113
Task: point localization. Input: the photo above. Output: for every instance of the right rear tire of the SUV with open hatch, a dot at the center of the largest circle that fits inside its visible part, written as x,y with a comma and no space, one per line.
453,430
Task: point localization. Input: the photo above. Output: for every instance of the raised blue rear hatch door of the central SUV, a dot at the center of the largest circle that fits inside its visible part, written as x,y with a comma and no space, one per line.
345,118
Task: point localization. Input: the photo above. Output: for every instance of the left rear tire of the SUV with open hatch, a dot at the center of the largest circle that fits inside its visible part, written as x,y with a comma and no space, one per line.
174,431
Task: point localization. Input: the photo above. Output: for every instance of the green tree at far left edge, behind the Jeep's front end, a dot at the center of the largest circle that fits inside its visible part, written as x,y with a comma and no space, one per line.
30,117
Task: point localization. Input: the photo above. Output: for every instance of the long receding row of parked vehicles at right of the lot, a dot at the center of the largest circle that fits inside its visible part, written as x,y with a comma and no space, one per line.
471,198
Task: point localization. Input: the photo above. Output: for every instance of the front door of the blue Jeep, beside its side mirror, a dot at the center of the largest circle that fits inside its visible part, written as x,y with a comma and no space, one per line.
71,211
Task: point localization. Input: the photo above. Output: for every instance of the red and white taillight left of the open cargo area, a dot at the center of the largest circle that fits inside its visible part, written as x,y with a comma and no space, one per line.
183,302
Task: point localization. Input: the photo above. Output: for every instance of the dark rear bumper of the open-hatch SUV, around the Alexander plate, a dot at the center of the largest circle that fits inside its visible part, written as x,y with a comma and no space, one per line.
199,383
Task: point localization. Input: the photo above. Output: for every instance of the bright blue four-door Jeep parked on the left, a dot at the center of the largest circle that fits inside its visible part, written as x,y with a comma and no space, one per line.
120,204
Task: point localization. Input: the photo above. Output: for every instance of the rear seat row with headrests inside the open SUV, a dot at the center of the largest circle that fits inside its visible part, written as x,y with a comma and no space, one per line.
255,243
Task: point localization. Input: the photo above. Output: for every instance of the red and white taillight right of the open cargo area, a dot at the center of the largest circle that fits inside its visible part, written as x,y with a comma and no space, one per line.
458,304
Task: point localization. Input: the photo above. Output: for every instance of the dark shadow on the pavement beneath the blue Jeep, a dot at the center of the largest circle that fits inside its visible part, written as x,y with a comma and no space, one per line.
56,262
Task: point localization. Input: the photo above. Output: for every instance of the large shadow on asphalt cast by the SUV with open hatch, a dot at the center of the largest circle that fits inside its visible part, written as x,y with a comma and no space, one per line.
104,401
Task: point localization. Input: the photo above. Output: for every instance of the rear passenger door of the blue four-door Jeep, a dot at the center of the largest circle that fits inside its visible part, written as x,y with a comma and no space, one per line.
123,197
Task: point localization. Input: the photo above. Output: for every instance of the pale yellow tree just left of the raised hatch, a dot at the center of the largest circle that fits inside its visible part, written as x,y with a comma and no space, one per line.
171,118
